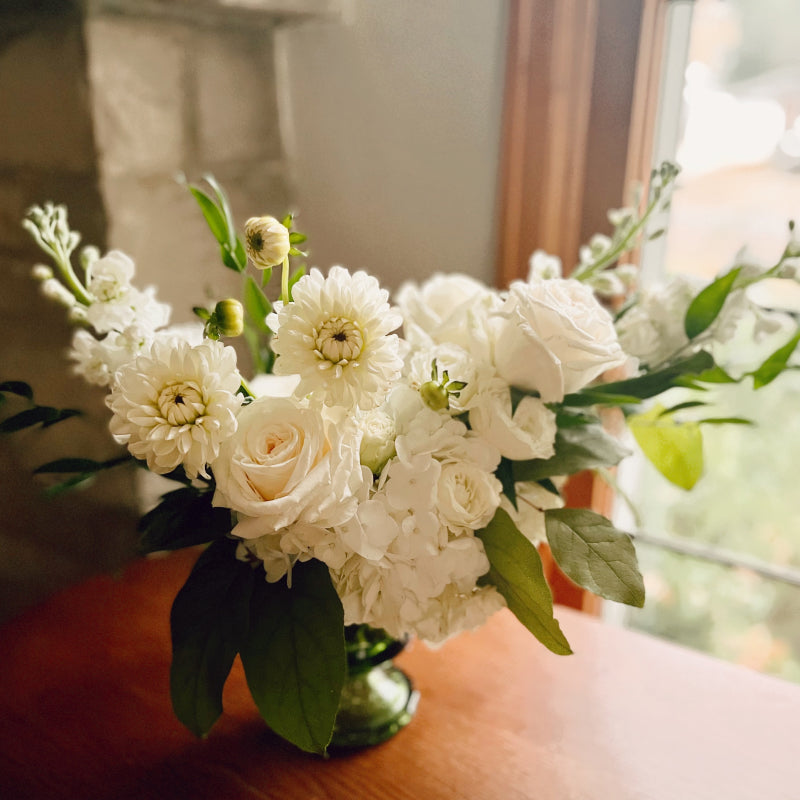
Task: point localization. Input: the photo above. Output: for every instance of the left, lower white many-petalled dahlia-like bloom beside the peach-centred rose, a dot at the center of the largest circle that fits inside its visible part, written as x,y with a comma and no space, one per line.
175,405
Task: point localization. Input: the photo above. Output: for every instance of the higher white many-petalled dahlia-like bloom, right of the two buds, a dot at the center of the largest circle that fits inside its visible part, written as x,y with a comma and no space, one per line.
335,336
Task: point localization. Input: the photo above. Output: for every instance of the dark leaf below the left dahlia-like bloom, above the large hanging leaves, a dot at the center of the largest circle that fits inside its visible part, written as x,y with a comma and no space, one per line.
183,518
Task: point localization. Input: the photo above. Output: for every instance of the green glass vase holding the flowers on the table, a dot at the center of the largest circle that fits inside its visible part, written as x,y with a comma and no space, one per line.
378,698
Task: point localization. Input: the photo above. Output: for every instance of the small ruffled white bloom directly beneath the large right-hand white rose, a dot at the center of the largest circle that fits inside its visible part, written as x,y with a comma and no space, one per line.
529,432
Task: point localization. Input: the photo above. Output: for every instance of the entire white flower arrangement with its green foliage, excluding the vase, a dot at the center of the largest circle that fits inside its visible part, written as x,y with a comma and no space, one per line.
361,478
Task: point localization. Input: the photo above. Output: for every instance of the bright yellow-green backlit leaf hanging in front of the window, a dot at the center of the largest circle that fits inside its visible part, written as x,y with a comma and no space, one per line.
674,448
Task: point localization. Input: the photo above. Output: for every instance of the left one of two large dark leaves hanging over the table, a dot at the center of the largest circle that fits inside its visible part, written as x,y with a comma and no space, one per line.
209,622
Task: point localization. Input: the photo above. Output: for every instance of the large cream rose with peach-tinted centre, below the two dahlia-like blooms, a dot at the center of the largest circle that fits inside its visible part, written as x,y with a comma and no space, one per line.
288,464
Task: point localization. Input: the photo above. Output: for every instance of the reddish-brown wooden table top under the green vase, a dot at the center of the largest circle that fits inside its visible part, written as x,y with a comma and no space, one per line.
85,714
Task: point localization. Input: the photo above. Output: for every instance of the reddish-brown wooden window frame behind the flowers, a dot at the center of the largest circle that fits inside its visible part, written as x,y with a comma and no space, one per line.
581,95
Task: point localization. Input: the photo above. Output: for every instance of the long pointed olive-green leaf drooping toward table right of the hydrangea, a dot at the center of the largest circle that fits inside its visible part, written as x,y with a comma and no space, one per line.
516,571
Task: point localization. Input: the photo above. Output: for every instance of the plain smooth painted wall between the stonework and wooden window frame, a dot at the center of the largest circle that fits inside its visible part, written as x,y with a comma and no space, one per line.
392,126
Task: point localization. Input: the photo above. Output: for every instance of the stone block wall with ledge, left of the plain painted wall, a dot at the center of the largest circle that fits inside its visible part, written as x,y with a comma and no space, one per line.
104,104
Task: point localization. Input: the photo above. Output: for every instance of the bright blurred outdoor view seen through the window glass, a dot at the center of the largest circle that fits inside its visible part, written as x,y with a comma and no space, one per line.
739,149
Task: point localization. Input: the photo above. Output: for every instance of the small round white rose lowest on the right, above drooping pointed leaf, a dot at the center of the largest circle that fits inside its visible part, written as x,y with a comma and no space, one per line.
467,496
